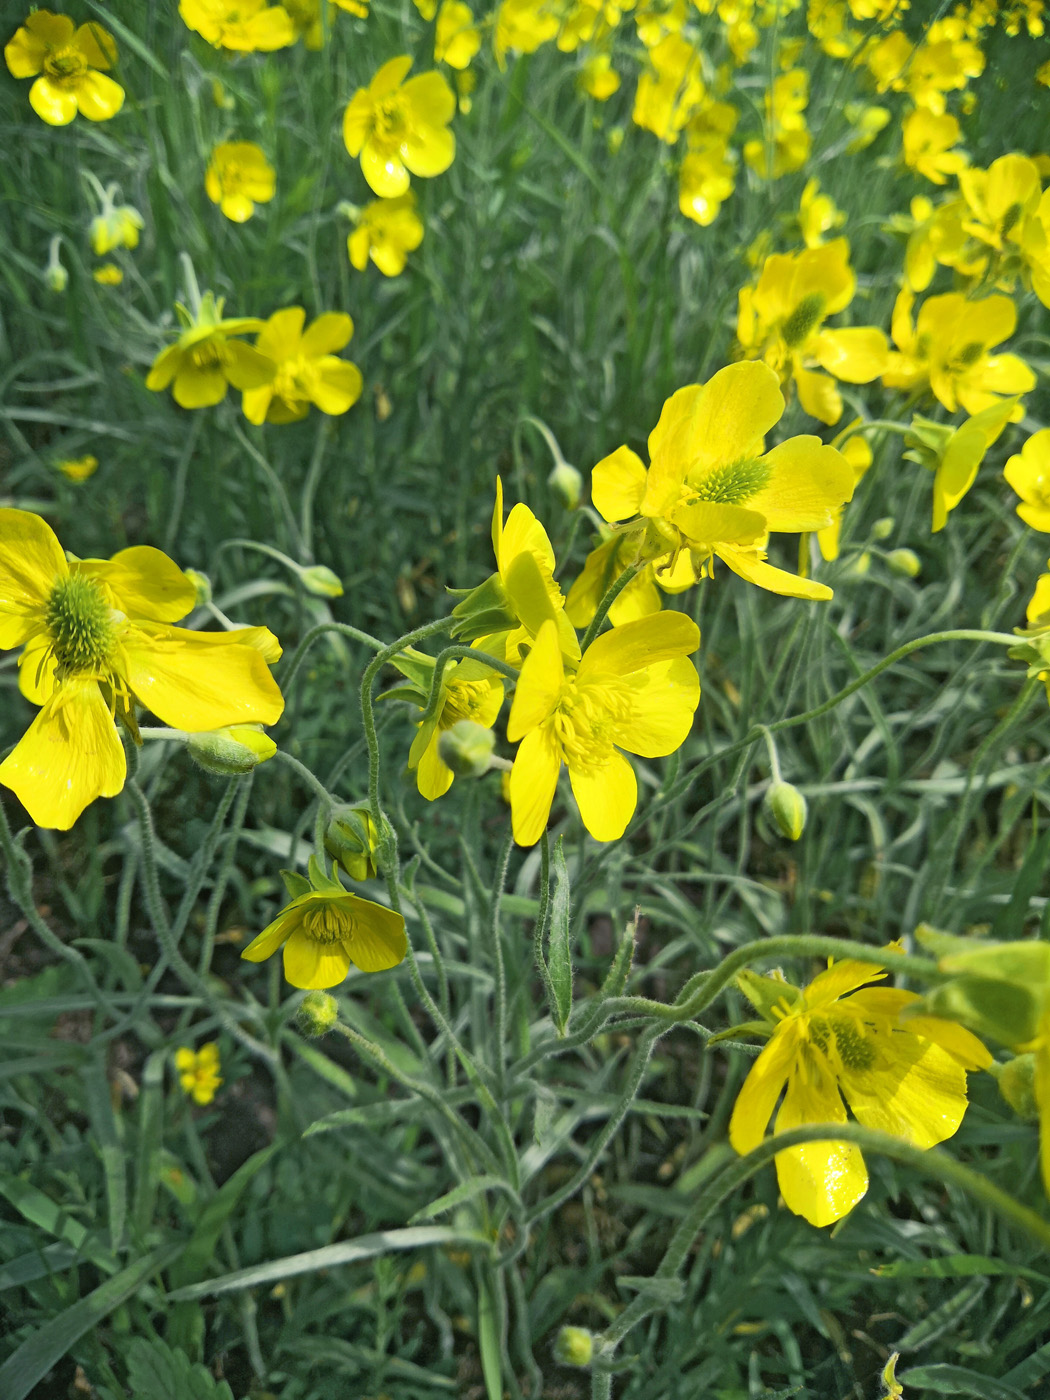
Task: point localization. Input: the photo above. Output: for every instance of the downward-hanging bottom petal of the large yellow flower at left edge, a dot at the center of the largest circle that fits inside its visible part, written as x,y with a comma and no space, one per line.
71,755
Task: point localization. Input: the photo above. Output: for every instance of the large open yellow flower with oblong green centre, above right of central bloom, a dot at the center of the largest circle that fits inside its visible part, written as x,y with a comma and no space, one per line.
713,492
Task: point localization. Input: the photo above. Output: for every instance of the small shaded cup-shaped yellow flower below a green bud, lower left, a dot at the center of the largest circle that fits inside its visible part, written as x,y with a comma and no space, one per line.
325,929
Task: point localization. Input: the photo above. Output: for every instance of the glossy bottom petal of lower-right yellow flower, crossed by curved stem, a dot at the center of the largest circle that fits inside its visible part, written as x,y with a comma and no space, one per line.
822,1181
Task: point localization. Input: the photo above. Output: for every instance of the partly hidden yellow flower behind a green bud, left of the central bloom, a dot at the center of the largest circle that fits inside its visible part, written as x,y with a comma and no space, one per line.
470,691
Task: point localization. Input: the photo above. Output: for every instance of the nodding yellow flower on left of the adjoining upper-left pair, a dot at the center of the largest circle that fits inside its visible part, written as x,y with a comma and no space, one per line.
206,359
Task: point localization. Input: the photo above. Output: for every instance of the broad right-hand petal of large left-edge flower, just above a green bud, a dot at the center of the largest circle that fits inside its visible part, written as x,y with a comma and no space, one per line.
198,685
